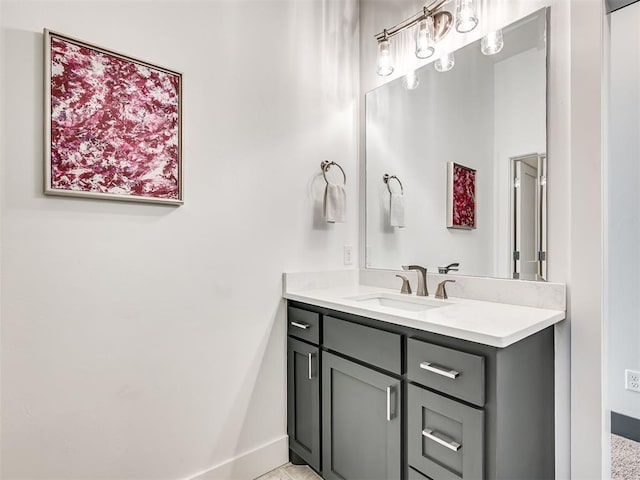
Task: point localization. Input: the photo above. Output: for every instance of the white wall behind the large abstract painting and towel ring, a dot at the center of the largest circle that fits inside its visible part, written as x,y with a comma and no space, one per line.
145,341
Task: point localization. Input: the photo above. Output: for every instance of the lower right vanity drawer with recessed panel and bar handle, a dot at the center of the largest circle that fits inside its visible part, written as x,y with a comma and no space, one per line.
445,437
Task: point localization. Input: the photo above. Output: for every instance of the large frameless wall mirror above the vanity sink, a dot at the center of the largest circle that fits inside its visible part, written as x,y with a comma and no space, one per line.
456,167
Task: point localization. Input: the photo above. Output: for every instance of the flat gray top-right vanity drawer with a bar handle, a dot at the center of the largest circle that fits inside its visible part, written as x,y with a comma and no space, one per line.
450,371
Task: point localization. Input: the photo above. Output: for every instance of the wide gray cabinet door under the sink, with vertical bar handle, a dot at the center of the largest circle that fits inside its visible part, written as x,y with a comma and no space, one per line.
361,424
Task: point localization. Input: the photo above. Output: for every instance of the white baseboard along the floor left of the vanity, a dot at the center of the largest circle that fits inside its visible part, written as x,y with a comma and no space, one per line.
250,465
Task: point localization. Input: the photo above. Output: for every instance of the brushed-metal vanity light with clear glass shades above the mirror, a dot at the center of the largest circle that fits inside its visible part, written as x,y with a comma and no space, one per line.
432,23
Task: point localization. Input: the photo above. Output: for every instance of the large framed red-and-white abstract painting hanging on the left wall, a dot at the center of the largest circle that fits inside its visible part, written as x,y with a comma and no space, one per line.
113,124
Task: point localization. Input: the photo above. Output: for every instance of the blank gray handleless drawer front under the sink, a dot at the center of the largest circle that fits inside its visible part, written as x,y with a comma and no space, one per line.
370,345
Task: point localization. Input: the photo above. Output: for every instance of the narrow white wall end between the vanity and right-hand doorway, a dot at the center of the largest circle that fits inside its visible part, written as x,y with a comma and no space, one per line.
584,185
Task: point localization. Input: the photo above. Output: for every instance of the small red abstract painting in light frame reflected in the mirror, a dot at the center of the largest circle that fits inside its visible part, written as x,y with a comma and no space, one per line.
461,196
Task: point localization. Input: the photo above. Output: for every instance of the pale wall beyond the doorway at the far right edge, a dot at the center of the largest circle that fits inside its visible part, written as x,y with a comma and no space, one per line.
623,172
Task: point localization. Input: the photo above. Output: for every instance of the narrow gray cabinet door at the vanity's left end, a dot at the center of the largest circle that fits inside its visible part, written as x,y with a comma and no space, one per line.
303,401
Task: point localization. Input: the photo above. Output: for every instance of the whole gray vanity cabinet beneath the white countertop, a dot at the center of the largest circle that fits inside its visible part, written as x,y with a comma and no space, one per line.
390,402
